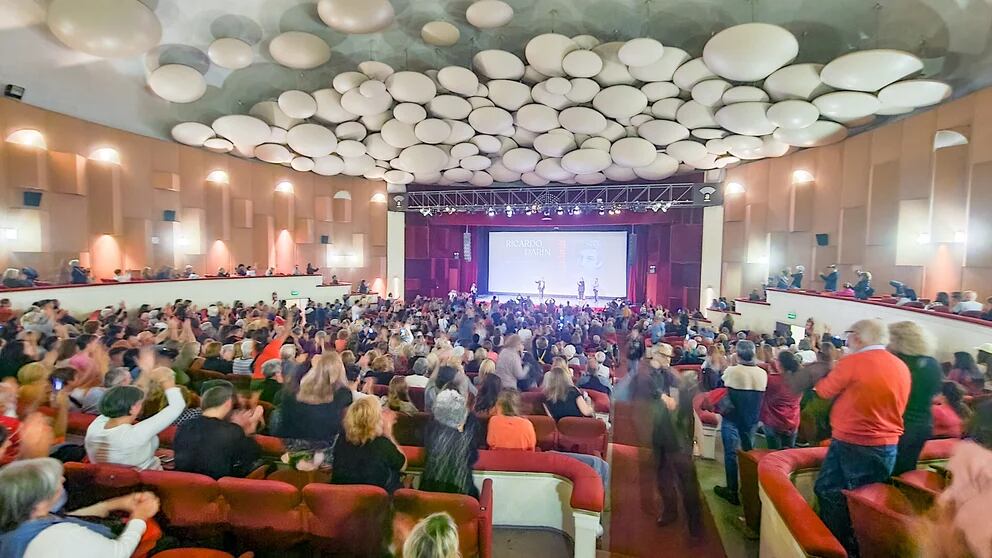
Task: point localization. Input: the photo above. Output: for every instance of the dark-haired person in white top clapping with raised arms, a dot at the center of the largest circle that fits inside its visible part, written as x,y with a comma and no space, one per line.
116,436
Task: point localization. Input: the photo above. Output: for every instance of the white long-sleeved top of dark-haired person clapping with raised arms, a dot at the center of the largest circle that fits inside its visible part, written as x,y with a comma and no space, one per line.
133,444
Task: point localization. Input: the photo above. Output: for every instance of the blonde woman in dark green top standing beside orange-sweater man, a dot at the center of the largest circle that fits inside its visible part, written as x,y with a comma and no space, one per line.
914,347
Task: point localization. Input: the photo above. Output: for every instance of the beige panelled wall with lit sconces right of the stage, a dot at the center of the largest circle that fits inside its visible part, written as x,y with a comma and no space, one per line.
873,194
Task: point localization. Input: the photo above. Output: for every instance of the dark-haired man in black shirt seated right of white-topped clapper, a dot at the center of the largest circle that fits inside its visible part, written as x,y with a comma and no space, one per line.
213,444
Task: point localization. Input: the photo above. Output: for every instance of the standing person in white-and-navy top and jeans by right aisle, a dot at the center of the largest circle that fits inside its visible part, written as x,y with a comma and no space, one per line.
746,384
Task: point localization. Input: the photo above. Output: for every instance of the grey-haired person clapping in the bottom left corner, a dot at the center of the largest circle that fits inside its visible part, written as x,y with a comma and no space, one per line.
31,495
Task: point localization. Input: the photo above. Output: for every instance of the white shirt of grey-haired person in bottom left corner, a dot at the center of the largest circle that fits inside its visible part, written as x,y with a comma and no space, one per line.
68,539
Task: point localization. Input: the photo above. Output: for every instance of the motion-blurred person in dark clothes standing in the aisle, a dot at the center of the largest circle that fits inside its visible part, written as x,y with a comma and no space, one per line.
665,424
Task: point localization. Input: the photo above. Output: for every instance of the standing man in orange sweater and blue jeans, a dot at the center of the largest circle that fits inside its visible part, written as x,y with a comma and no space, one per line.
870,389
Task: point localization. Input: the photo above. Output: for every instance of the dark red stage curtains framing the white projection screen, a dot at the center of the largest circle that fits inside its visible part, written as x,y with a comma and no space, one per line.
663,254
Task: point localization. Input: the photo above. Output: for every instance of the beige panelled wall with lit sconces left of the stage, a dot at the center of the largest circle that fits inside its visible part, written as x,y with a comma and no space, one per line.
108,215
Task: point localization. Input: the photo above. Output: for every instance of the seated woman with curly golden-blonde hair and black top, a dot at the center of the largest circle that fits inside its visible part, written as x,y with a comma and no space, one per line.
368,453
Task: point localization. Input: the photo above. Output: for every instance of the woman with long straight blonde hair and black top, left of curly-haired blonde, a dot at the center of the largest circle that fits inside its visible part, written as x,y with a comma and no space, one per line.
314,413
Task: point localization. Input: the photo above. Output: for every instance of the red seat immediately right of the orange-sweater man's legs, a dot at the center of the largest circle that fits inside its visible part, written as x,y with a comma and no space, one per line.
883,521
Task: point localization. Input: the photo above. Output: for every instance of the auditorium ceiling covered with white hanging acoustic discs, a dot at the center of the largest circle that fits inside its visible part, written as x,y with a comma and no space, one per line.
496,92
